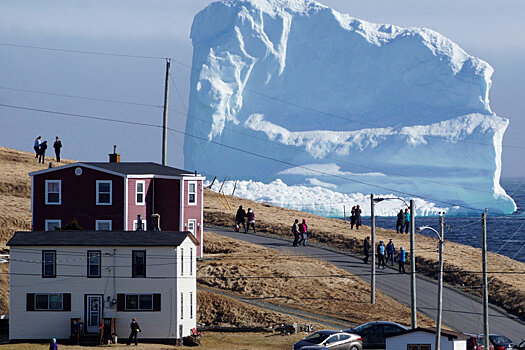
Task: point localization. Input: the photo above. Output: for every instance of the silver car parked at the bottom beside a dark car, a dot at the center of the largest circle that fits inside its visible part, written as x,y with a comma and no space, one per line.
330,339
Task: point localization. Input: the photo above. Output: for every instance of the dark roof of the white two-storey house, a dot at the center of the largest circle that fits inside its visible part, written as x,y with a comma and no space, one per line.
100,238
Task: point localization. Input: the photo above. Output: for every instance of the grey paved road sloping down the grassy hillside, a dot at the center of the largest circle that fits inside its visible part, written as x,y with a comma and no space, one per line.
459,311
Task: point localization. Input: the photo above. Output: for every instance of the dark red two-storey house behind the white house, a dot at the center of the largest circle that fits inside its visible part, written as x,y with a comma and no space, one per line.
110,196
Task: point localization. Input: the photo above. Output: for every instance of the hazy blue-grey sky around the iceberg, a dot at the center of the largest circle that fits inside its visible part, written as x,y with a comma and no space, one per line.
486,29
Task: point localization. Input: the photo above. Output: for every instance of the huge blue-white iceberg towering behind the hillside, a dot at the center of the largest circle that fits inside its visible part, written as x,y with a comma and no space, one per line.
299,92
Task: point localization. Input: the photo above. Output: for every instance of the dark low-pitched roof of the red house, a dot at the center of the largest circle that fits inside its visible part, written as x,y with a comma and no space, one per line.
126,168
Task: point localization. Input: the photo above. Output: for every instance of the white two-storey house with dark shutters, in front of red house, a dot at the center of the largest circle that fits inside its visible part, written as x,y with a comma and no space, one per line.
59,275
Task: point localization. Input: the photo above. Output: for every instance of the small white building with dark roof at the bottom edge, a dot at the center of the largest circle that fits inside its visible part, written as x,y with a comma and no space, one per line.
425,339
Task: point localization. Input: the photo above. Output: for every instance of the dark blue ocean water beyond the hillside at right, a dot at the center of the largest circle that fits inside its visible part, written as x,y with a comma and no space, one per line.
505,234
